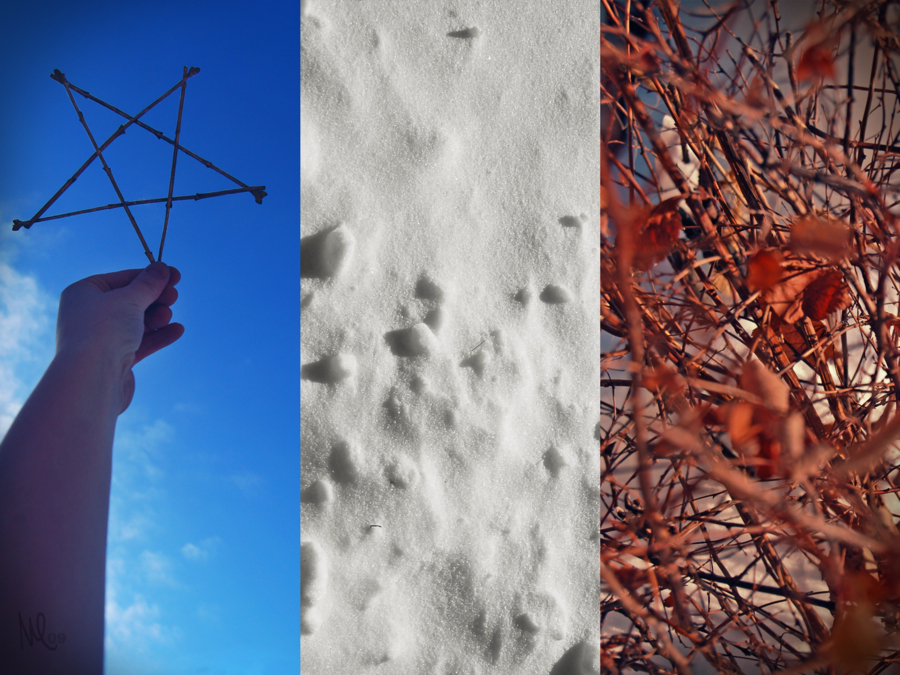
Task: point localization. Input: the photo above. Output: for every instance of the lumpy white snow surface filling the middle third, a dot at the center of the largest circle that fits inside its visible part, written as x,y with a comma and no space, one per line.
450,337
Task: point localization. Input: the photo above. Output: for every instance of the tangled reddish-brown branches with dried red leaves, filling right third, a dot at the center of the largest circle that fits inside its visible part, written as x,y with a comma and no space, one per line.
750,311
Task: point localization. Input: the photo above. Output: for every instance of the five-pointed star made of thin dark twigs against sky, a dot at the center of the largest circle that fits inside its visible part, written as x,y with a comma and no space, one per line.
258,191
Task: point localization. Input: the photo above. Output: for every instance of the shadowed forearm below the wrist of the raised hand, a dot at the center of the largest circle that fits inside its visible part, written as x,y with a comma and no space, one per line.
55,471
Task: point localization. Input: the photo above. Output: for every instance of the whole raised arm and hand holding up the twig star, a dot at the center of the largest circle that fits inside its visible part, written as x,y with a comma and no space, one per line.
56,464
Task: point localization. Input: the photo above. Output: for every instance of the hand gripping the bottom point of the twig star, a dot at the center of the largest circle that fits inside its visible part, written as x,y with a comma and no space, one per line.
124,316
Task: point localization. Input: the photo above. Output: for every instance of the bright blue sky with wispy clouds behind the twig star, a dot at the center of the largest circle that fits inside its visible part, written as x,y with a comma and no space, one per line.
203,555
